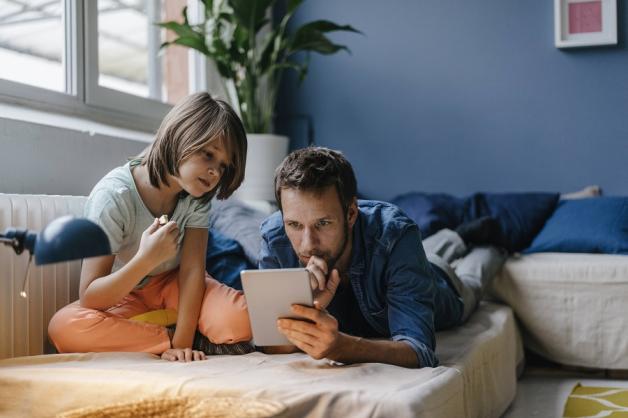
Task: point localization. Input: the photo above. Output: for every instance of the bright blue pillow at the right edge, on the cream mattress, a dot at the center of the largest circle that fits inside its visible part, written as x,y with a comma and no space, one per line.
595,225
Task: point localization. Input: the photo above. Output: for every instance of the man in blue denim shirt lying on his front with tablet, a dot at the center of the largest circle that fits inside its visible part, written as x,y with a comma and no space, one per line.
379,299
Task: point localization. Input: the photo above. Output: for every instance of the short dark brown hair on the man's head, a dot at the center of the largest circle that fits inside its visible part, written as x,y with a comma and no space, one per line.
315,169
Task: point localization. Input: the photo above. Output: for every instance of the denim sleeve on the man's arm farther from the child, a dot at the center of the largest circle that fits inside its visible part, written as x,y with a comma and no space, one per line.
410,295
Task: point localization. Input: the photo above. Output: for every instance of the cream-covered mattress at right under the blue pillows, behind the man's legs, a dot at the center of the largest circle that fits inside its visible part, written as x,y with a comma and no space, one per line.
572,308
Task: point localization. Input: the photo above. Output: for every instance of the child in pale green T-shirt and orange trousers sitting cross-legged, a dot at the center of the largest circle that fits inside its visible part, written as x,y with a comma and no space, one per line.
199,151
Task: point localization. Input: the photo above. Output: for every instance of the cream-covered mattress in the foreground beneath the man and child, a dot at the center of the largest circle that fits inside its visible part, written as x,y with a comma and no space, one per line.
476,378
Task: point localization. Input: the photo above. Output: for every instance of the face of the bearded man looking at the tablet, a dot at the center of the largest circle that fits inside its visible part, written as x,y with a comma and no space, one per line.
315,224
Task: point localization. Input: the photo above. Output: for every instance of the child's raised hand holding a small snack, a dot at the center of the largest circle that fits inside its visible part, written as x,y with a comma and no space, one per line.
159,243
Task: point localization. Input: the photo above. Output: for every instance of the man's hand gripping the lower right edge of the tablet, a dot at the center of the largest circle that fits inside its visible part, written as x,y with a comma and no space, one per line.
320,339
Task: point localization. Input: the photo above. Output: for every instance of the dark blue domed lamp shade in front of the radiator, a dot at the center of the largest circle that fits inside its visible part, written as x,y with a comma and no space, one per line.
69,238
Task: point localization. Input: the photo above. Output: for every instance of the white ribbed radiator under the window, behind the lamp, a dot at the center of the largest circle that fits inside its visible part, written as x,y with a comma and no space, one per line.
24,322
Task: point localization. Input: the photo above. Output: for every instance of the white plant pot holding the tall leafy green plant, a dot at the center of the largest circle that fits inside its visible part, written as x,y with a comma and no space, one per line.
265,153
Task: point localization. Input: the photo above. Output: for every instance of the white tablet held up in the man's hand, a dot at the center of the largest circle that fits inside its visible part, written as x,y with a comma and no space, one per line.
269,296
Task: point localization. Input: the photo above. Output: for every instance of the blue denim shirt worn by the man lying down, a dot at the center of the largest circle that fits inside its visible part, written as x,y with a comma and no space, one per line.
399,293
